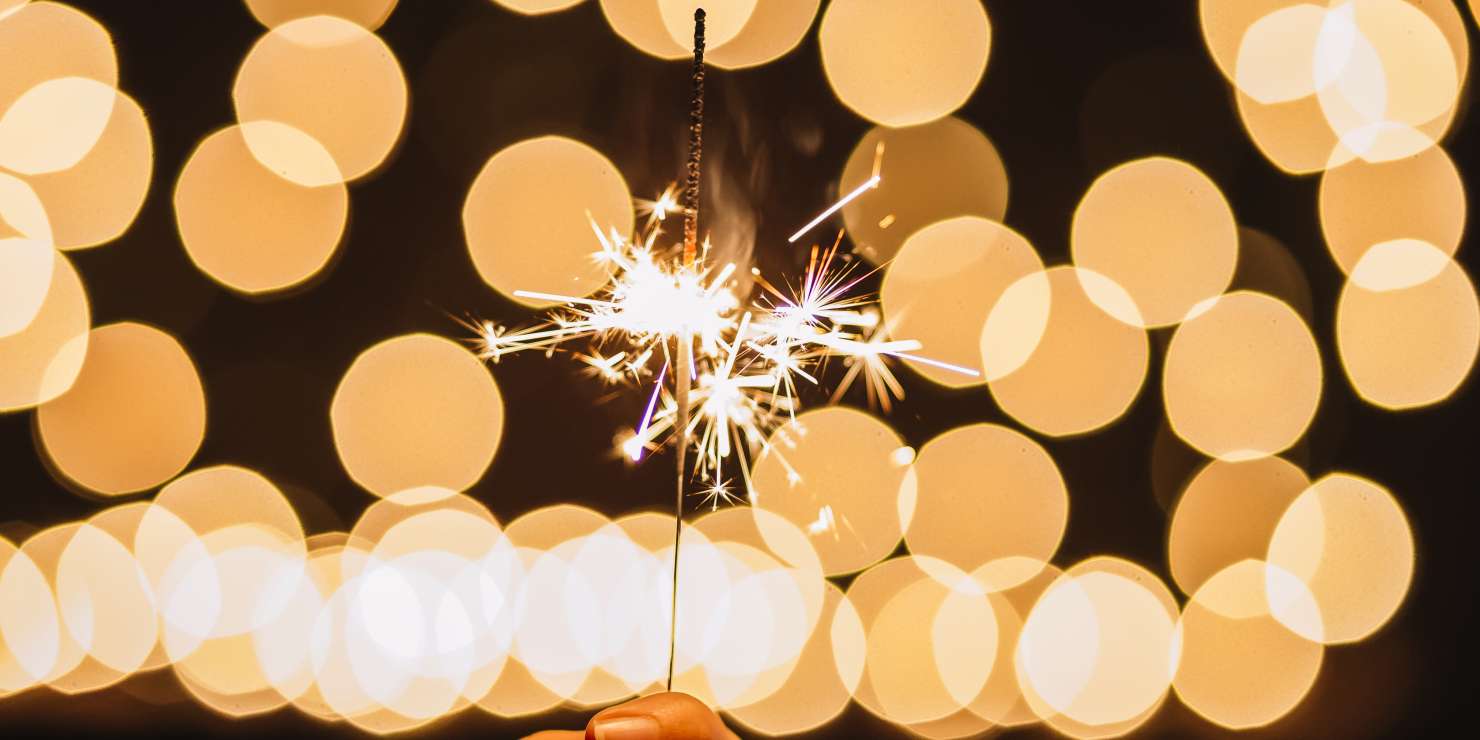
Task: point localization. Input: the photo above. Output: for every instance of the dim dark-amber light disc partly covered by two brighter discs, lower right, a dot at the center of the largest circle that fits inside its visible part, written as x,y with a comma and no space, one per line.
1228,514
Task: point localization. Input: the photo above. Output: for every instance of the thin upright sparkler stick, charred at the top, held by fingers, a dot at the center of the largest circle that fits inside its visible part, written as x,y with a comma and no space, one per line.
683,344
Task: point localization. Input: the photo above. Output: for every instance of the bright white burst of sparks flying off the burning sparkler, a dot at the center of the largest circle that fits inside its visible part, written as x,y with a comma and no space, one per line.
747,360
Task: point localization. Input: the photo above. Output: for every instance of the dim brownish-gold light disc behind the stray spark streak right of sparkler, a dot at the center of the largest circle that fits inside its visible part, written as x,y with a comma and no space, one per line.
930,174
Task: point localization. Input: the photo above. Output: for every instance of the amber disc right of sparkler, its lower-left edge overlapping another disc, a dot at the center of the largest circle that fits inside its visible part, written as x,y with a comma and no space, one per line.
1161,230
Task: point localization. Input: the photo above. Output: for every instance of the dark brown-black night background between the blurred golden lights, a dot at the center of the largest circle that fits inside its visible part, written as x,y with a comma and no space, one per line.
1072,90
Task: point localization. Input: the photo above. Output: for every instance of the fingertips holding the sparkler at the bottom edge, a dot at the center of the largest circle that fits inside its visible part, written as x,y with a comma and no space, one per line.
658,717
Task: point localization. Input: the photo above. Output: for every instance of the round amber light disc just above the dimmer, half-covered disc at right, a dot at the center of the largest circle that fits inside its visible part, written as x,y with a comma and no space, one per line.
1242,378
